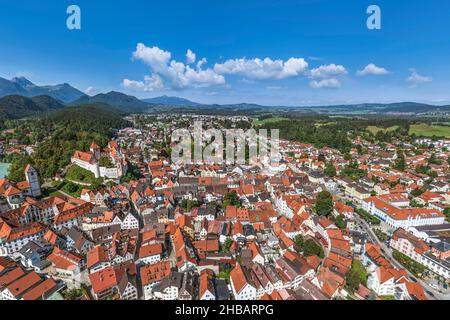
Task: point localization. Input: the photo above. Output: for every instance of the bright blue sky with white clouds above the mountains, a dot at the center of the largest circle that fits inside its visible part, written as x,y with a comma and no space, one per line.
286,52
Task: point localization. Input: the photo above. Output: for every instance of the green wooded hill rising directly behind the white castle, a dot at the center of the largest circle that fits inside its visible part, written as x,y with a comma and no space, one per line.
62,132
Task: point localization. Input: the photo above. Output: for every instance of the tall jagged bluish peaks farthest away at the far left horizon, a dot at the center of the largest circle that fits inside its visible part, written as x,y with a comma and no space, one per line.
24,87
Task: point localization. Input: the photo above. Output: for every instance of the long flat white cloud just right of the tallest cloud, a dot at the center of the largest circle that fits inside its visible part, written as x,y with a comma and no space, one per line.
262,69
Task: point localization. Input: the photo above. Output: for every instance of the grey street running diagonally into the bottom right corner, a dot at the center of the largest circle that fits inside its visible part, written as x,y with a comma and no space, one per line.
388,254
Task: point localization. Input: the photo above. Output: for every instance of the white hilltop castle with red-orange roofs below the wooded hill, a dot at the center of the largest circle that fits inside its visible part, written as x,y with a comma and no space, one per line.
90,161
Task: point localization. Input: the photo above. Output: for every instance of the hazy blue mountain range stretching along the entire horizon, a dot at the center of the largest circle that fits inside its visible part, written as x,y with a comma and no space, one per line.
22,98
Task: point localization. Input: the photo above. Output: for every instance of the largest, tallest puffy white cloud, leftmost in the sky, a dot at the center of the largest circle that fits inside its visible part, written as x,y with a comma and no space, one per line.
171,73
